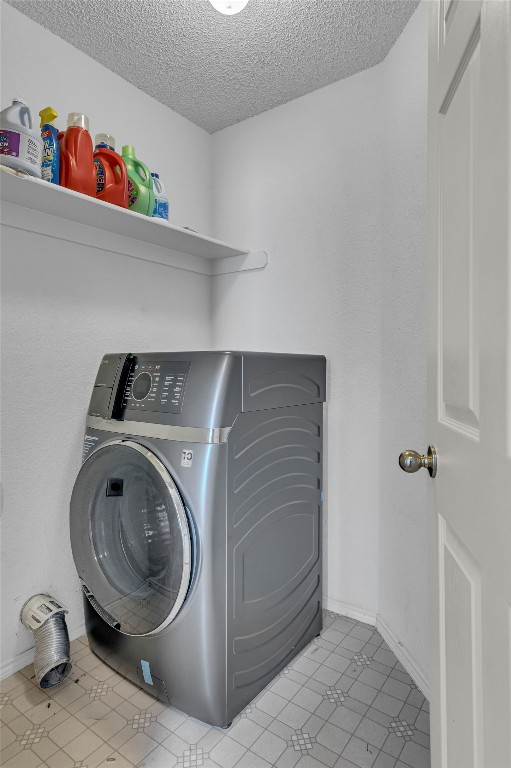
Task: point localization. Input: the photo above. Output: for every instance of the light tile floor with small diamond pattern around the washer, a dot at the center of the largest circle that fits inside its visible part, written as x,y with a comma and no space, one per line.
344,702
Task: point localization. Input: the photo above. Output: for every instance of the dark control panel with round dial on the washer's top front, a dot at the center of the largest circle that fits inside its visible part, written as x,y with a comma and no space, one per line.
156,386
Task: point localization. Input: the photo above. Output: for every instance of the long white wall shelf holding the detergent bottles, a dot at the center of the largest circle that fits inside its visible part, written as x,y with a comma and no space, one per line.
48,209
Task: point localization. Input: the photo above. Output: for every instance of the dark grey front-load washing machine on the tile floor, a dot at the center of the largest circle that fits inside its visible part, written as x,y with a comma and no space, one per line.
196,521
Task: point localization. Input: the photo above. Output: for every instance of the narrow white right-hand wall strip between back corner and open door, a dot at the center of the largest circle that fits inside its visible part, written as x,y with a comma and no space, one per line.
403,577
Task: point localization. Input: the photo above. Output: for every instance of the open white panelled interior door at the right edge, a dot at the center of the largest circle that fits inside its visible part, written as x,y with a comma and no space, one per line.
470,381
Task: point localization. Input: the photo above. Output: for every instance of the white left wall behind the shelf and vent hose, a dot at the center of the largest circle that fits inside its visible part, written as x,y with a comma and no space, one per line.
65,305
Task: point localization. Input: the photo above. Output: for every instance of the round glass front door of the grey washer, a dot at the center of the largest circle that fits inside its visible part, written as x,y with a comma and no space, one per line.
130,538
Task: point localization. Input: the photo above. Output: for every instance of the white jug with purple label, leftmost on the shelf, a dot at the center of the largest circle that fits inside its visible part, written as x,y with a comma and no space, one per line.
21,146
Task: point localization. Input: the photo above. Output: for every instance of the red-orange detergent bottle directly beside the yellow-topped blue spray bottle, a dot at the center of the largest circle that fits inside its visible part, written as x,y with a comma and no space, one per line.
77,169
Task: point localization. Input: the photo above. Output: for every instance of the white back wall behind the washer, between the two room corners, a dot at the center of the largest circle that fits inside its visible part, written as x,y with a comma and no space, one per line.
302,181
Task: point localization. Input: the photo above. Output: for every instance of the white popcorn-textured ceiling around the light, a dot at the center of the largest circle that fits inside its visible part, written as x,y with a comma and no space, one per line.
217,70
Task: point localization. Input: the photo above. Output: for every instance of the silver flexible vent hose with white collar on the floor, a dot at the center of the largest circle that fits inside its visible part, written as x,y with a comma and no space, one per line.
45,617
